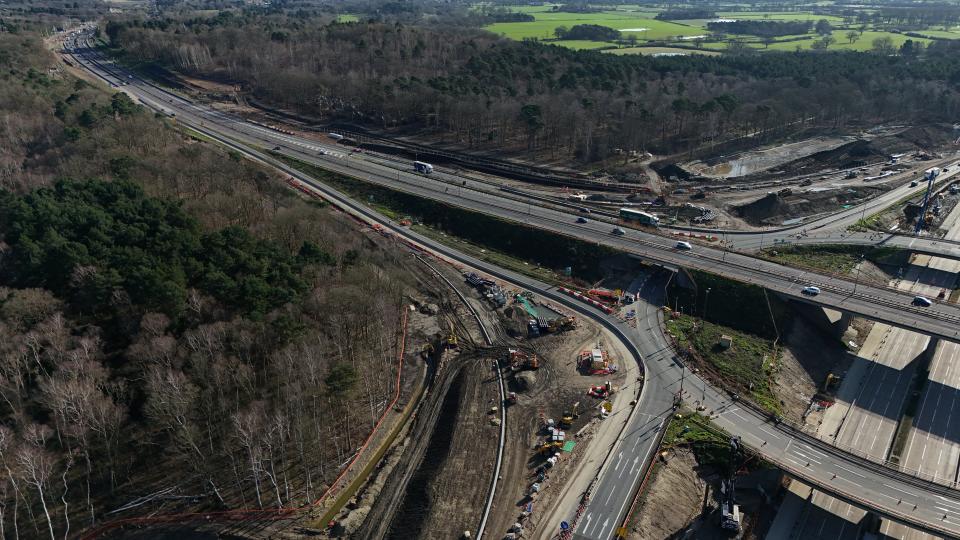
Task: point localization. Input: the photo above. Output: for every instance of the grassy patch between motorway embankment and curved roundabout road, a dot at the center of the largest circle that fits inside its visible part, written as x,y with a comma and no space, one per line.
748,365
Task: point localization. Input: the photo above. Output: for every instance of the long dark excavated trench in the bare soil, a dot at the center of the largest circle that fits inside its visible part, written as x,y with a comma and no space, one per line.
409,519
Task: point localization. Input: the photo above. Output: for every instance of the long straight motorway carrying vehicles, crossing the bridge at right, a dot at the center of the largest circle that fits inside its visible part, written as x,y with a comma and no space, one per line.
879,303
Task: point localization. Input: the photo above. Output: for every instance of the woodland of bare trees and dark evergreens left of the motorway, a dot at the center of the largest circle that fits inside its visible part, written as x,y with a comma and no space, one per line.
176,329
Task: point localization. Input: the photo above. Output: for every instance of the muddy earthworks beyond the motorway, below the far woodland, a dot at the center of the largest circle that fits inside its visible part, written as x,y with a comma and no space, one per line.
778,185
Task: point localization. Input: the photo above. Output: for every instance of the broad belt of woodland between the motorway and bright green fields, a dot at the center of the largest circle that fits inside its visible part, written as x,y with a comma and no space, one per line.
482,91
